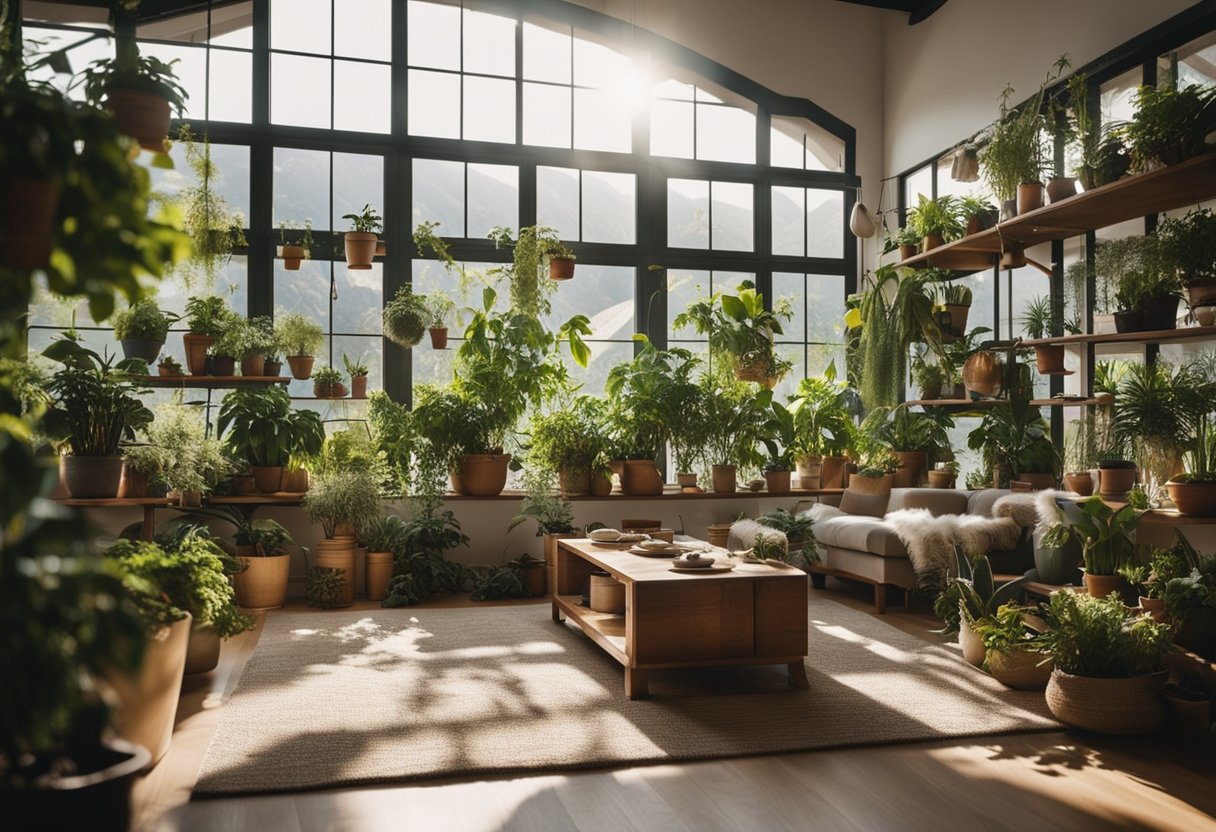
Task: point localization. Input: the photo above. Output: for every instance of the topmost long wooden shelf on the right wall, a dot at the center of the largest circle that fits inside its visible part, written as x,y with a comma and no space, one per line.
1190,183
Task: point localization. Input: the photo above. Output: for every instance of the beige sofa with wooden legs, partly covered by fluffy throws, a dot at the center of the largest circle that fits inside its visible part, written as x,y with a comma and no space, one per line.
863,547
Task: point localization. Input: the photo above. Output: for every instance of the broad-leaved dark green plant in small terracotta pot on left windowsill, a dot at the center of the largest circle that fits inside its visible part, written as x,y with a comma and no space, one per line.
267,432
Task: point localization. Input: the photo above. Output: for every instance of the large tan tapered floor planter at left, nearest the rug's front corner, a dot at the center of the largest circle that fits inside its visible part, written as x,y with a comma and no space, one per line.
148,702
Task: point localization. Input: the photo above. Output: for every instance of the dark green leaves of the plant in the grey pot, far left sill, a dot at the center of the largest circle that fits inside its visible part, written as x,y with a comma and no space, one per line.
95,403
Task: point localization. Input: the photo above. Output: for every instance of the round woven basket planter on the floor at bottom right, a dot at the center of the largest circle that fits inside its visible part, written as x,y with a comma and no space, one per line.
1108,706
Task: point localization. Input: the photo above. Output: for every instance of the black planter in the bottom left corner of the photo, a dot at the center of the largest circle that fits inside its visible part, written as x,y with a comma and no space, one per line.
100,792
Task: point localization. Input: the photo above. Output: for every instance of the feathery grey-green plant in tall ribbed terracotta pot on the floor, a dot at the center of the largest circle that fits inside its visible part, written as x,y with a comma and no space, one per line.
345,503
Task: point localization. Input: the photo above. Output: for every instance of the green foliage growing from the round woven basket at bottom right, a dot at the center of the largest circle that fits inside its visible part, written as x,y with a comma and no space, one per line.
1101,638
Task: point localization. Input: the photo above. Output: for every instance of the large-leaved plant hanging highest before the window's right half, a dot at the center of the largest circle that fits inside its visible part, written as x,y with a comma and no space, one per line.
741,333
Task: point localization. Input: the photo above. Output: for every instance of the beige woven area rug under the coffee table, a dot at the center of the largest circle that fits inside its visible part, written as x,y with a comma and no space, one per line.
389,696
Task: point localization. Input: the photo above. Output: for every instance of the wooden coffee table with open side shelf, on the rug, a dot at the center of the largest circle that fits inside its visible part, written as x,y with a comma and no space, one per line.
755,615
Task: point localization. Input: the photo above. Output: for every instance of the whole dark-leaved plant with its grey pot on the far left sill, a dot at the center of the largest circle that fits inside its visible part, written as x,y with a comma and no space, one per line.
94,408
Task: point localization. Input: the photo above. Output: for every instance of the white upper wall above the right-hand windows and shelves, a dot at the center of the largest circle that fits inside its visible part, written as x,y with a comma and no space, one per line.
943,78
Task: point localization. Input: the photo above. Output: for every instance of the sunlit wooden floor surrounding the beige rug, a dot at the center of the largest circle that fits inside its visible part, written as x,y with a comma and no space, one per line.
1046,782
